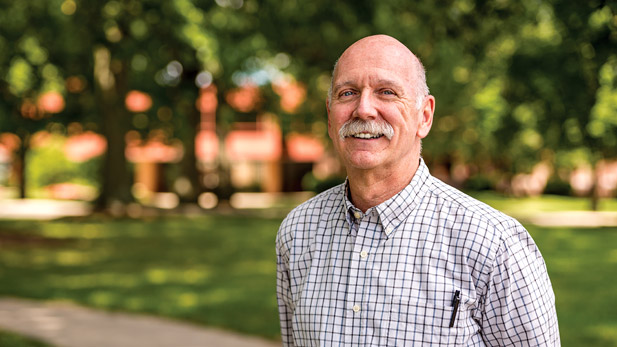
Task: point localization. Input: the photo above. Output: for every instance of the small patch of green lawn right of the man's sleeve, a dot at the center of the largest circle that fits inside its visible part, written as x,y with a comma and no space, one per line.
582,264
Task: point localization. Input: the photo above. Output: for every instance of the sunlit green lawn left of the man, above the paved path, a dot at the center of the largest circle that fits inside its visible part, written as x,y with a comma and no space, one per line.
217,271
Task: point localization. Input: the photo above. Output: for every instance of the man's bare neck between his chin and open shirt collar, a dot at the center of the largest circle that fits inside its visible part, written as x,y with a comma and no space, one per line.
369,188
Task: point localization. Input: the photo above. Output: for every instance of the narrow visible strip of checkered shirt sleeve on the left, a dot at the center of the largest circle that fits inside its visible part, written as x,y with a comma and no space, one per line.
283,291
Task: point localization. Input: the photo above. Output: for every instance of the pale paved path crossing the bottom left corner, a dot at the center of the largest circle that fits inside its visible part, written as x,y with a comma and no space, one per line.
68,325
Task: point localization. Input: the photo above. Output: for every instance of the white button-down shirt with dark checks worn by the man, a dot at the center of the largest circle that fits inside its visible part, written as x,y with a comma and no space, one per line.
388,277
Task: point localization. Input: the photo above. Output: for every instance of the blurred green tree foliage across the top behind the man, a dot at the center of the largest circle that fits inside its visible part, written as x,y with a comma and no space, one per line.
516,82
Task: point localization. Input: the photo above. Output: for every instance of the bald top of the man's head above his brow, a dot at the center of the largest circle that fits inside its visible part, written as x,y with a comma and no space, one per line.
378,50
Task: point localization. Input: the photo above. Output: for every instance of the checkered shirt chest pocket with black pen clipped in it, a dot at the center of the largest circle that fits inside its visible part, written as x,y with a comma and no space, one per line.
427,323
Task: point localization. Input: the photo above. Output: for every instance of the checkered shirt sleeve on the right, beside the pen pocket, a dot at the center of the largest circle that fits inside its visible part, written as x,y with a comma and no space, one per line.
519,307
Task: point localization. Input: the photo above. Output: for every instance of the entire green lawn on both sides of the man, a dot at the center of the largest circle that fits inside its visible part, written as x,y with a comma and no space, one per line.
220,270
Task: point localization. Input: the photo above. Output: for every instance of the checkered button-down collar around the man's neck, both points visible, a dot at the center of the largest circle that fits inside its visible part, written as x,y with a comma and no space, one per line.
395,210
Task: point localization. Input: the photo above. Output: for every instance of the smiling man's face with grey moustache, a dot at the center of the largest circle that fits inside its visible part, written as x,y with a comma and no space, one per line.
375,83
